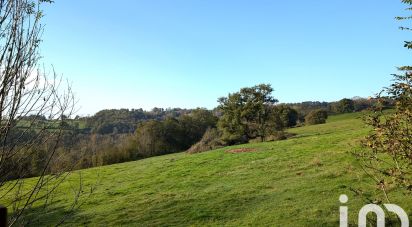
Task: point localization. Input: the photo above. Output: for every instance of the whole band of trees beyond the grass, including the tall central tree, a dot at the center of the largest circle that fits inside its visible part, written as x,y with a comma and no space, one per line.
112,136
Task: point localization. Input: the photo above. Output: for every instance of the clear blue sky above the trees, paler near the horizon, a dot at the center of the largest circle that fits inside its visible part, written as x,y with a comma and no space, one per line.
187,53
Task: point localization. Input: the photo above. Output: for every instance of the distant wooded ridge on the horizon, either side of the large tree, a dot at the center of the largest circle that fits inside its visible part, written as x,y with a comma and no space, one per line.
120,121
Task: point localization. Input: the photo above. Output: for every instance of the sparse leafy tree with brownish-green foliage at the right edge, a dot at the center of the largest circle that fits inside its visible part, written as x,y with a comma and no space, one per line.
388,154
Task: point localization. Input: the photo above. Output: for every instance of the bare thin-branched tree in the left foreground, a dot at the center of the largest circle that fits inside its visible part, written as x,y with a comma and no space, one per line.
27,91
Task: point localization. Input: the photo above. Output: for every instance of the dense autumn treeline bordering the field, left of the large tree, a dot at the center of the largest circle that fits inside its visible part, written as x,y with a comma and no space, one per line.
77,150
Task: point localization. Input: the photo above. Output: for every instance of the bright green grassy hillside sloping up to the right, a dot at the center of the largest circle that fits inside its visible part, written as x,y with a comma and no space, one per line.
296,182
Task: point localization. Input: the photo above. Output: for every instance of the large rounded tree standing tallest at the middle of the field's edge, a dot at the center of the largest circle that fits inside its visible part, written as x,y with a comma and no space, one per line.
247,114
